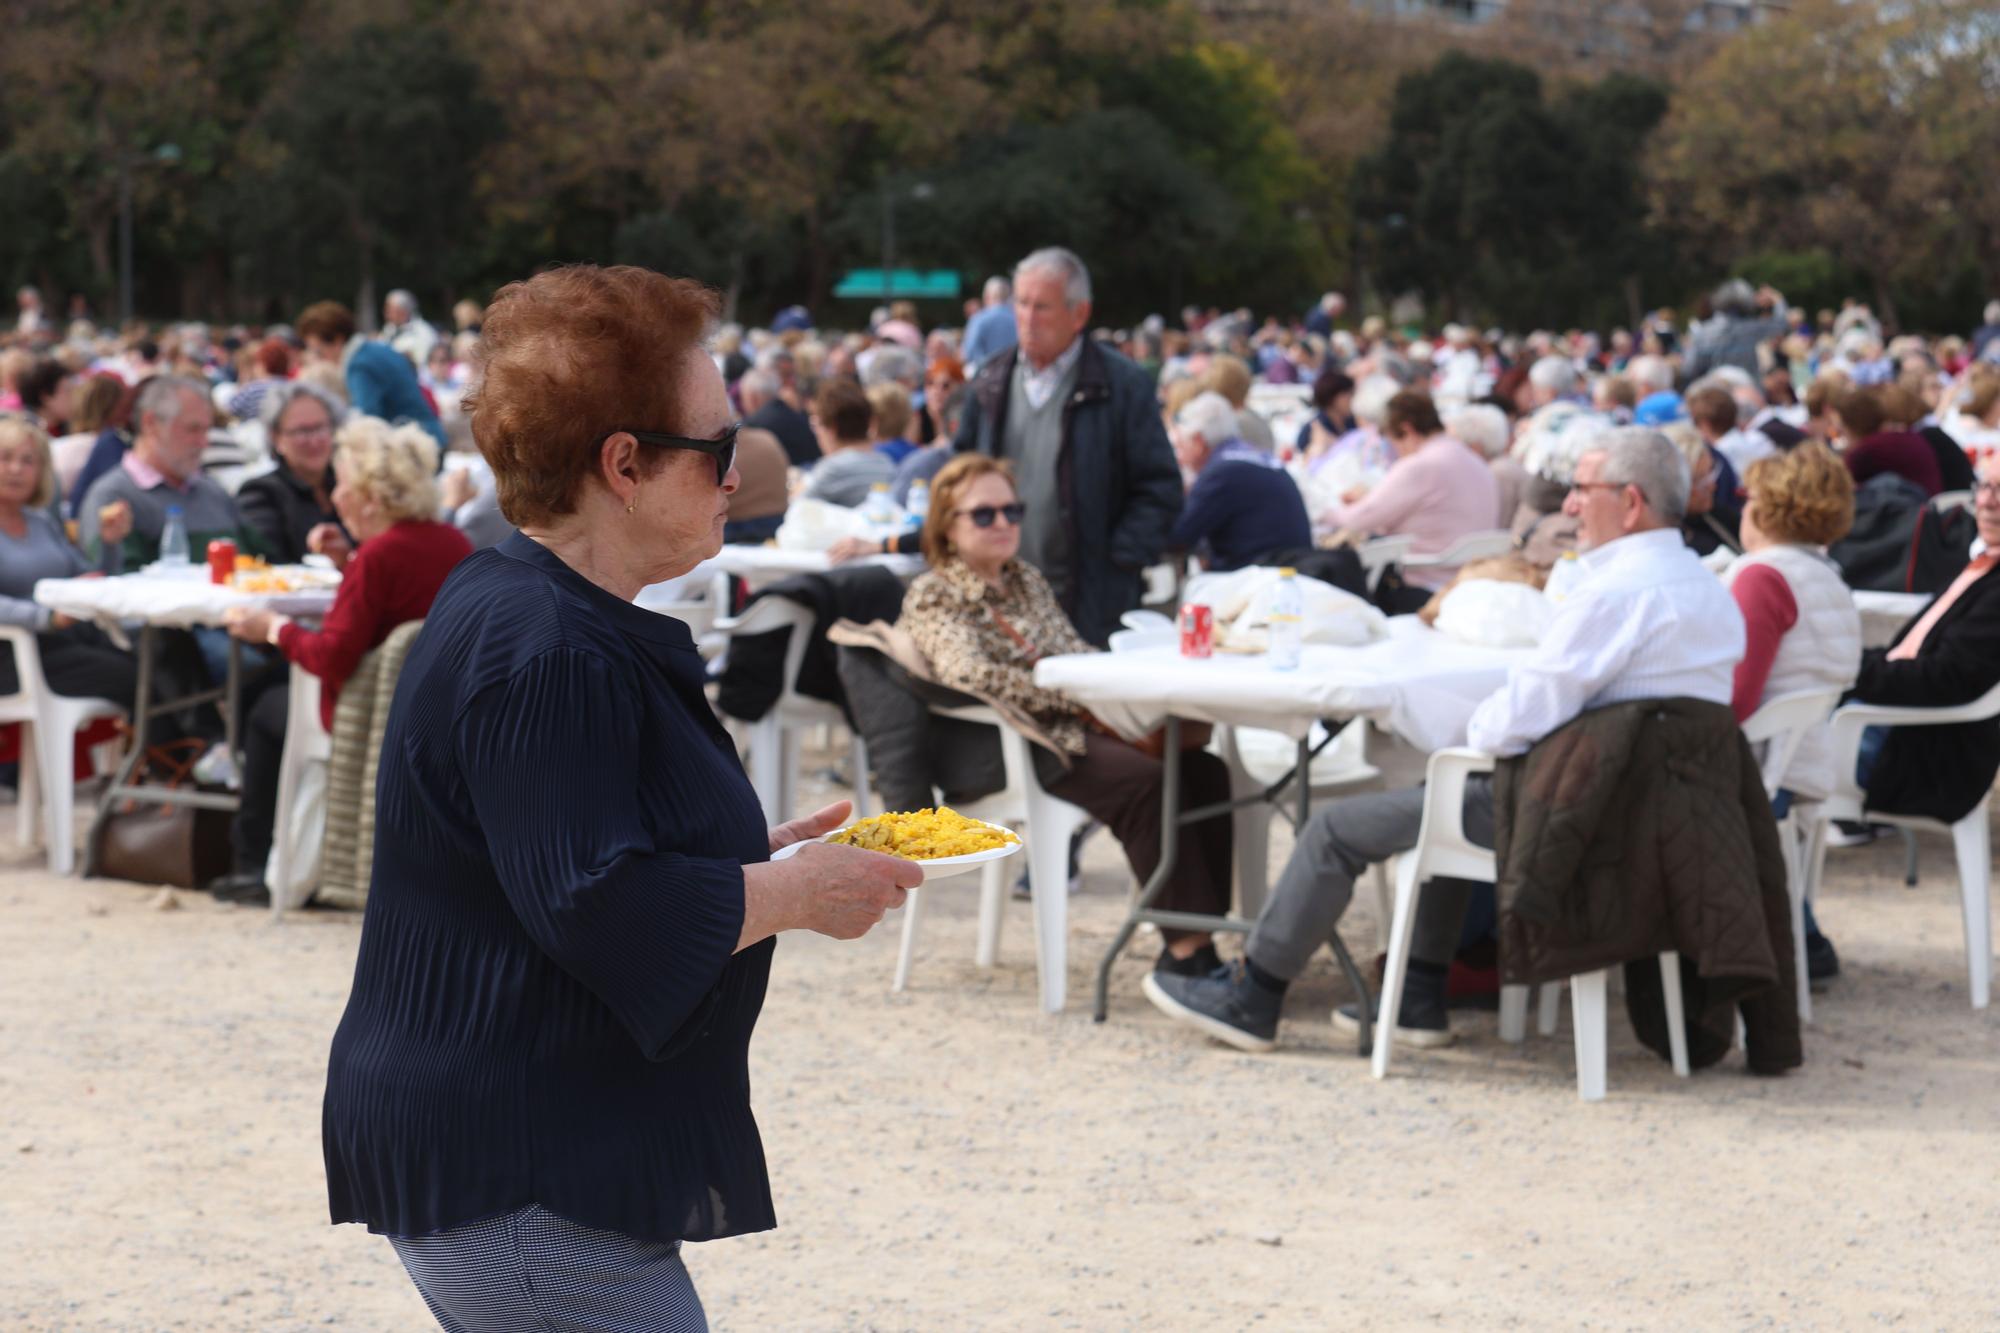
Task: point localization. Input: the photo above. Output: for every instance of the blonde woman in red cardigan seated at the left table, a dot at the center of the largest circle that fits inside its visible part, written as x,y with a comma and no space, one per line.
389,501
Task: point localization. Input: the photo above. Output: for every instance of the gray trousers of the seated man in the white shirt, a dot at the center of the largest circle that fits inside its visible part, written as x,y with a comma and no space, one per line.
1343,840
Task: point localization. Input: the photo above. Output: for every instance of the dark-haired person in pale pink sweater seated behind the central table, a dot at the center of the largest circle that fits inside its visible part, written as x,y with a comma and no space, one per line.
1437,491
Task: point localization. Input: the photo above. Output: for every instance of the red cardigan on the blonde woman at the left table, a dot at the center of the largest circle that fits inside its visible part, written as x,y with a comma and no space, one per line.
391,579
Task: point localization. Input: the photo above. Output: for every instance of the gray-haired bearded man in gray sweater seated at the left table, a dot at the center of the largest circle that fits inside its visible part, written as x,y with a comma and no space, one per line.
163,471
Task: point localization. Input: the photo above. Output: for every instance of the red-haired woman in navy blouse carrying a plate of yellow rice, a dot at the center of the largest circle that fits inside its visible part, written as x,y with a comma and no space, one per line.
541,1086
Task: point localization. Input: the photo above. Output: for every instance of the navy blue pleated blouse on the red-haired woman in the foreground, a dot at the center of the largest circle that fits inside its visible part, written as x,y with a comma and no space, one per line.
547,1004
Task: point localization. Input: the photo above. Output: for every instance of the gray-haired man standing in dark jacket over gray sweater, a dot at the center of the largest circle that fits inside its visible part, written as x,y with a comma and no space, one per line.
1091,457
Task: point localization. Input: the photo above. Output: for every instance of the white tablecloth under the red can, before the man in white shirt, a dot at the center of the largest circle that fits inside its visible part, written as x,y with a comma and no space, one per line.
1417,684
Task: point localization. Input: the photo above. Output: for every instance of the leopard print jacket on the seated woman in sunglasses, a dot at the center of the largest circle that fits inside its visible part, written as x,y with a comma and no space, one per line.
957,619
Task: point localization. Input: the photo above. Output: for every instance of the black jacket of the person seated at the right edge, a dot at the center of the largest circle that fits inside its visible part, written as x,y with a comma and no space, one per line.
1939,772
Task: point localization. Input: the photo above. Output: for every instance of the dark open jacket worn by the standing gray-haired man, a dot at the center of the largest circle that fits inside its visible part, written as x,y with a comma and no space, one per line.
1117,477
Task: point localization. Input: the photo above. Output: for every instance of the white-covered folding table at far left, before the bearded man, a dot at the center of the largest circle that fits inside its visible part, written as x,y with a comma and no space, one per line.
153,603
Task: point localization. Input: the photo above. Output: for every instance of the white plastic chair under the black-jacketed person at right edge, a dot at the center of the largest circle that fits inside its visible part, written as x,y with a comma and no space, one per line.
1969,836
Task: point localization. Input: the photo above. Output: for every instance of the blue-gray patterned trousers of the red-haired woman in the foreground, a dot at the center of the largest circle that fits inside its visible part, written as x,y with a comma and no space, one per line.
533,1272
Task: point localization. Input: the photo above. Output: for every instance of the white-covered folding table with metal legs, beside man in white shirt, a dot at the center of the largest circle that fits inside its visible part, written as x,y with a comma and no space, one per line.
1419,684
